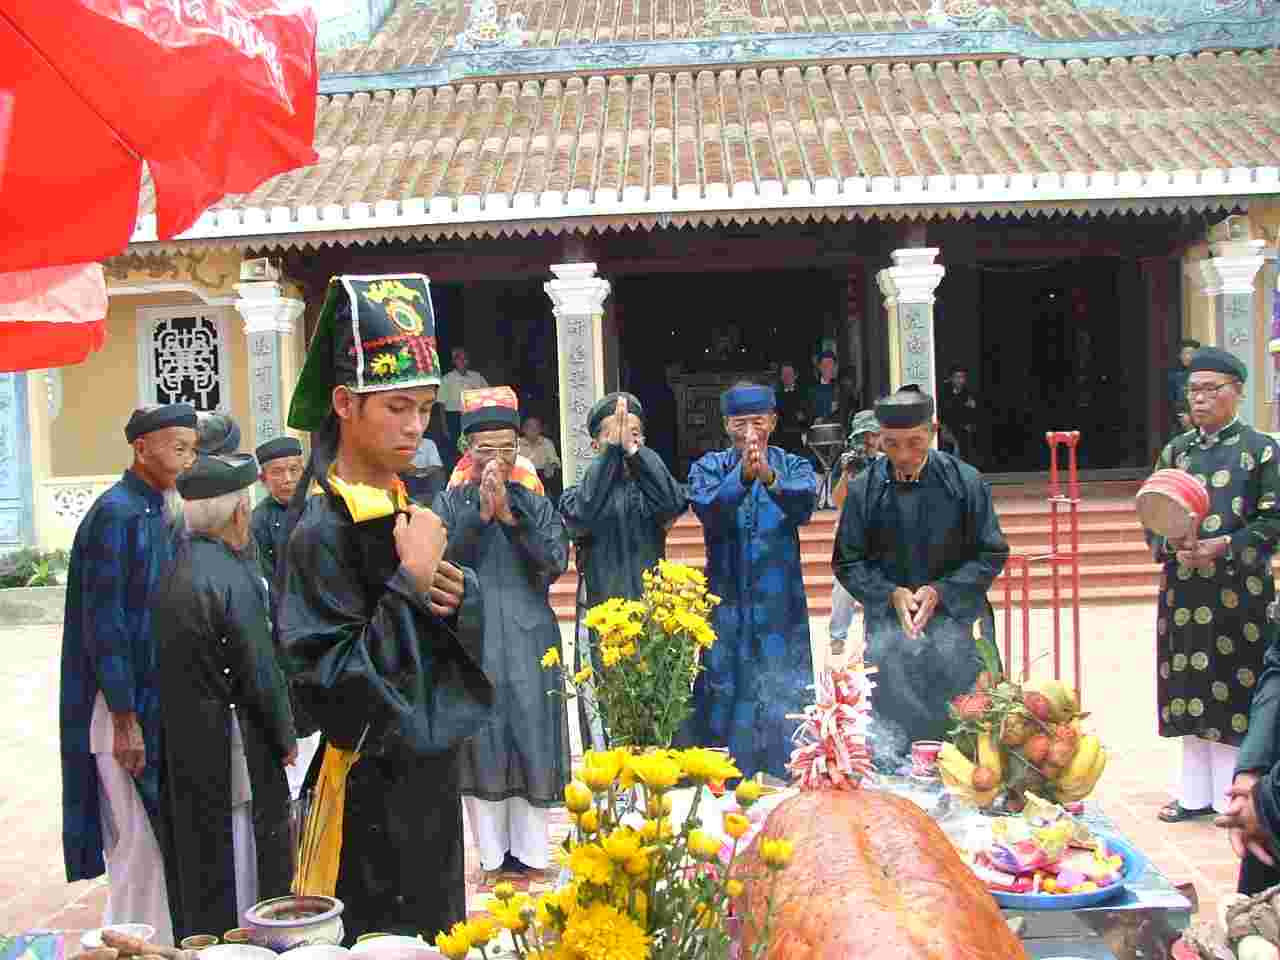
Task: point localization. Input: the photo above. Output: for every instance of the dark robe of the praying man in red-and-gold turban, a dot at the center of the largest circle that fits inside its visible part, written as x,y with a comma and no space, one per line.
524,751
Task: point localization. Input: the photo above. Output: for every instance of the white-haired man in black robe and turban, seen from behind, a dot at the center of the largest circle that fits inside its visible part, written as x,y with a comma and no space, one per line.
228,732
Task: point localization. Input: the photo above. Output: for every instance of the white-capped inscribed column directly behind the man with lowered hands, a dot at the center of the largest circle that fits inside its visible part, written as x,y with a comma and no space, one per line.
908,289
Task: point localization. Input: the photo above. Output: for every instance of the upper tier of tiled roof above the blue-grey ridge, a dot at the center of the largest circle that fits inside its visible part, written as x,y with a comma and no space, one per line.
418,33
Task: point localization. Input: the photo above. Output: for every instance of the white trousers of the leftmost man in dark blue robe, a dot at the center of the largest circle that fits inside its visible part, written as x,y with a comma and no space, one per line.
138,892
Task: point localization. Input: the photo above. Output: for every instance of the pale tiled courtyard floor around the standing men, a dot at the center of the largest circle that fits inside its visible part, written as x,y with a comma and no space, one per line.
1119,688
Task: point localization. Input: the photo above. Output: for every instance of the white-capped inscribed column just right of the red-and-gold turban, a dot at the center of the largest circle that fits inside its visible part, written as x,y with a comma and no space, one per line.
578,296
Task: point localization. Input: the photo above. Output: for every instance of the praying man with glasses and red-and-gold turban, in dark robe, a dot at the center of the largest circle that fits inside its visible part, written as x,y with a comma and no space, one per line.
515,771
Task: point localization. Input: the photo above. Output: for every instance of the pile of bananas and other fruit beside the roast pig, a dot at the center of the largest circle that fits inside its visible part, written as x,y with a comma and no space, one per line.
1012,739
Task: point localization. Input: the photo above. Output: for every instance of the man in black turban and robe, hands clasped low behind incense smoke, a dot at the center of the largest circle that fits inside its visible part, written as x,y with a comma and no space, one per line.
918,546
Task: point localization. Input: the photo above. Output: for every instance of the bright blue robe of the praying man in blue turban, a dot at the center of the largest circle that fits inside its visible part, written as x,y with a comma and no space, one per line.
761,668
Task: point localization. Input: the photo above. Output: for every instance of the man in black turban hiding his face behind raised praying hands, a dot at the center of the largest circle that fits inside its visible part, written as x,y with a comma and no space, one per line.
618,516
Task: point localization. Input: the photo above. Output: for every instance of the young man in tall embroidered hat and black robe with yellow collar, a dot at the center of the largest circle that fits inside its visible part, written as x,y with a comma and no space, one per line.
382,638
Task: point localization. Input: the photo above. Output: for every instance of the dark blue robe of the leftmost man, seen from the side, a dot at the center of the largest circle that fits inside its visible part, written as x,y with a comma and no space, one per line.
121,550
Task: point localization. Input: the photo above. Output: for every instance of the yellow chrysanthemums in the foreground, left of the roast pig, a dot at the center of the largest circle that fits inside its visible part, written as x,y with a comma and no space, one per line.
641,888
